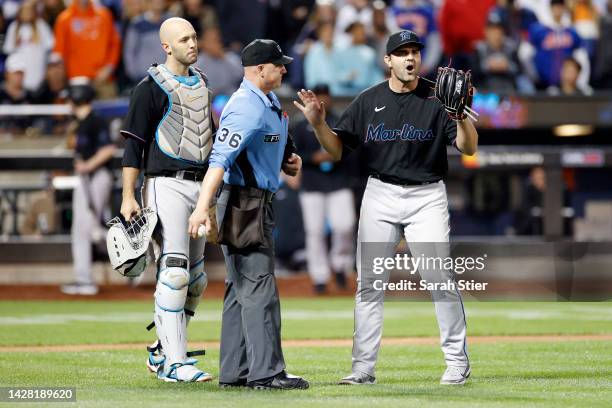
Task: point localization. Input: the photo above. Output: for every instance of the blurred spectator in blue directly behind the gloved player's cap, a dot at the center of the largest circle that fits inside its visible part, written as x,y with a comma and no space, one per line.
419,16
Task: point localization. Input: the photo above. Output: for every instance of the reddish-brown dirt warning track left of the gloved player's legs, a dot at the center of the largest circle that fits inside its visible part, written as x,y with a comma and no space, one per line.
298,286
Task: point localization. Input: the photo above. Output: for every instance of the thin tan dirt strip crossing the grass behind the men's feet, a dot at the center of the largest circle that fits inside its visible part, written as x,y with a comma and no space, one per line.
395,341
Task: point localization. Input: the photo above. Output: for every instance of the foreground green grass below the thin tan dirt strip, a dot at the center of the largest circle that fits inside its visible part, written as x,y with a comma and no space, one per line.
519,375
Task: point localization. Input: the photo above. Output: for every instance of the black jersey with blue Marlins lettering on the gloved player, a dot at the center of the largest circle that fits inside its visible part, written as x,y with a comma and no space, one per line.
403,135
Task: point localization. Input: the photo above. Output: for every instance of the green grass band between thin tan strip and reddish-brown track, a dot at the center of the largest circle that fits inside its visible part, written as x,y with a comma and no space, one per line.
38,323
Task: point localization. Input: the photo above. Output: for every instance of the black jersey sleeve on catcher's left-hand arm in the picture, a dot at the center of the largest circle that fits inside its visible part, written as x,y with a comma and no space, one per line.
138,122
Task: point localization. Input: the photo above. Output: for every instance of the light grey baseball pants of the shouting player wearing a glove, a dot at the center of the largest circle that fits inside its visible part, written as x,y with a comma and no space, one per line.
420,213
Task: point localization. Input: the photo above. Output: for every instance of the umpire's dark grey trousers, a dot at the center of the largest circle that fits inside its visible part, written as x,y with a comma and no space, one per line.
250,329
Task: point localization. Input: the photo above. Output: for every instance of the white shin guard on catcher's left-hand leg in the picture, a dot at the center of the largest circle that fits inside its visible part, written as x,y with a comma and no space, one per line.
170,295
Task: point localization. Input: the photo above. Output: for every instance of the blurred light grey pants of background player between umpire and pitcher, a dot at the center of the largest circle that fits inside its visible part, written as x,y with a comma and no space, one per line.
337,207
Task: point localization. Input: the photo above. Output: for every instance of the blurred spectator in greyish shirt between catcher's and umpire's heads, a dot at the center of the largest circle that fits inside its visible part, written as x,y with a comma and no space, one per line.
224,69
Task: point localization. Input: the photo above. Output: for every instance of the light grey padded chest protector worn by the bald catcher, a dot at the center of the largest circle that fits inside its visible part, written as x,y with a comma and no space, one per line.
185,132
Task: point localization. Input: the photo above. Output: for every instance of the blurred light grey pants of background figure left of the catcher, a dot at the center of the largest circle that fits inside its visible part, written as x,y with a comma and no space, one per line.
95,187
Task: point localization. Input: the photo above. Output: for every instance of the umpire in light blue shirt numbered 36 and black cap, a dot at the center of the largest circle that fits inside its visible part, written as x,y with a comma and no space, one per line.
251,146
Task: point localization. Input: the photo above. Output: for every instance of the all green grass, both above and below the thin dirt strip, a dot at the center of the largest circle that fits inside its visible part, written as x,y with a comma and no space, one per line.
576,373
